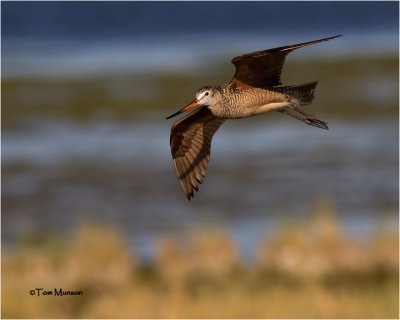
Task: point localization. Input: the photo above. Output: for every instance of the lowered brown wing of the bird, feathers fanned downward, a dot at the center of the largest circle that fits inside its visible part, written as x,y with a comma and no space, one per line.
190,147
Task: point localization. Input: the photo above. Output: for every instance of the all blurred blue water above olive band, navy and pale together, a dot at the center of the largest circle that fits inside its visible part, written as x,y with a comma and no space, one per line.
81,38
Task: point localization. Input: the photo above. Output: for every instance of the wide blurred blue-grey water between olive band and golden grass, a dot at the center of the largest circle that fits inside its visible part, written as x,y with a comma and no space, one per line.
58,174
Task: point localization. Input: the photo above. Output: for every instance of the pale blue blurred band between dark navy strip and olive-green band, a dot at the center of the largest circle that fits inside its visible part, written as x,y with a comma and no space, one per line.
181,54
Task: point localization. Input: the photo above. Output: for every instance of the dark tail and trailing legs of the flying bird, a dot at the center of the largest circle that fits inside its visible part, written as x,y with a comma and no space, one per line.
301,95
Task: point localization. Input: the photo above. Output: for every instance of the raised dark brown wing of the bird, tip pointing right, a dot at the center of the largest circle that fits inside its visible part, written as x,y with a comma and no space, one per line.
264,68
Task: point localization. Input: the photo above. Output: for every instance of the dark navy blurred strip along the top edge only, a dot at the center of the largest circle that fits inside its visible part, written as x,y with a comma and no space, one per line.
99,20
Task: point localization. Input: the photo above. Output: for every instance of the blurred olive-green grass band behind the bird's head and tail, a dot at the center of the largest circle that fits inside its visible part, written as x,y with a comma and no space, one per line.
348,87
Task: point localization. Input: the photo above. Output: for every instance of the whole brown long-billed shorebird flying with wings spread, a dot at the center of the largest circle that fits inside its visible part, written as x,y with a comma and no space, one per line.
254,89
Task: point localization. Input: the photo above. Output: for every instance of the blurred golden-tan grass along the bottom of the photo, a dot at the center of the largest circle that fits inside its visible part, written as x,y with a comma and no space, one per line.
311,270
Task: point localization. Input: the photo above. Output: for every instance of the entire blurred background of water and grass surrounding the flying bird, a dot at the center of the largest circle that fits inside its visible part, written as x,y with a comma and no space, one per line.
90,199
